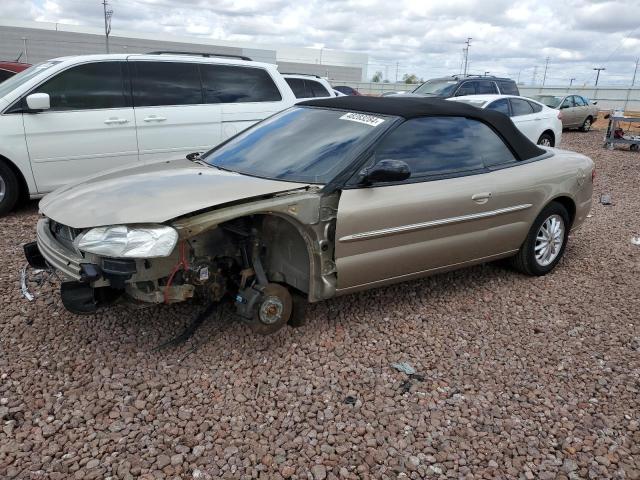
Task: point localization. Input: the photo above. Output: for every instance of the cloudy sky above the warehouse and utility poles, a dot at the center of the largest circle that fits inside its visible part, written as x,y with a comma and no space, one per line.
425,37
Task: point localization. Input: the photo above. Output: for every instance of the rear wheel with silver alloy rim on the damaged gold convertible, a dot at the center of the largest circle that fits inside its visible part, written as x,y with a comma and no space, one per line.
550,229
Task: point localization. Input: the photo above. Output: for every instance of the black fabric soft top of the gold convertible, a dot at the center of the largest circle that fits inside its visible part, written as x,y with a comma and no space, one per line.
412,107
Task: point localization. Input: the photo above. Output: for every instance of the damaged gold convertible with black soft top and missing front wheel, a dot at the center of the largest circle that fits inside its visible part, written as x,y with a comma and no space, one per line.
326,198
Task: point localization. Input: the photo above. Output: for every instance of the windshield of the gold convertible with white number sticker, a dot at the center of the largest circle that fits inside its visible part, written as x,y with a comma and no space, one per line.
301,144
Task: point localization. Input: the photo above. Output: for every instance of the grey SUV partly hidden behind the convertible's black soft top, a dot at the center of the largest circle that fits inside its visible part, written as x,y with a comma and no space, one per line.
459,85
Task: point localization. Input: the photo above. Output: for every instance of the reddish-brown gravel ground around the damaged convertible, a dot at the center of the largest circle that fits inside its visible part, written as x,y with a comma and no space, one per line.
521,377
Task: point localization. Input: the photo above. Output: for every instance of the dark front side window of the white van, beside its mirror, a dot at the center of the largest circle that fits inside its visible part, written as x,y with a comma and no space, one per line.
85,87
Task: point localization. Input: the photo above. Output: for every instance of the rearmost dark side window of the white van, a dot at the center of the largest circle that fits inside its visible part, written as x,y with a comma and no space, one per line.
232,84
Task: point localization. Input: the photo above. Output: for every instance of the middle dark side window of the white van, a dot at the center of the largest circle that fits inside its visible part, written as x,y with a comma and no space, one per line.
165,83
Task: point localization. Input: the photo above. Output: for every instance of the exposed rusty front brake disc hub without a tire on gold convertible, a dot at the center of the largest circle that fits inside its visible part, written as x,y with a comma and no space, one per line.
272,311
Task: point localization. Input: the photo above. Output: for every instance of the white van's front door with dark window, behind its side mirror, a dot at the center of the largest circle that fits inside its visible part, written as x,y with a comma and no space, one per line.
90,126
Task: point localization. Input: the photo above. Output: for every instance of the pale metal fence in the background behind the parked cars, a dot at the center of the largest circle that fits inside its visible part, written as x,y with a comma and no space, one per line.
608,98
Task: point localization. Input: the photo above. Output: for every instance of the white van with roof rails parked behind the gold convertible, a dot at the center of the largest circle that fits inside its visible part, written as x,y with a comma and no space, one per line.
71,117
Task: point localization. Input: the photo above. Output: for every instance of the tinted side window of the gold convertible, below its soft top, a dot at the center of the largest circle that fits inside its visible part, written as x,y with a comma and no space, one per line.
434,146
